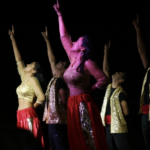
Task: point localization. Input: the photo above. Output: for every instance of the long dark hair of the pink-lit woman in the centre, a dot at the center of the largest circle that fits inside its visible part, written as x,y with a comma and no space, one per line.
86,43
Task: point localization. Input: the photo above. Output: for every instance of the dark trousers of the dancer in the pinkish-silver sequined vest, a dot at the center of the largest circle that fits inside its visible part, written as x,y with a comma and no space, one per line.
58,137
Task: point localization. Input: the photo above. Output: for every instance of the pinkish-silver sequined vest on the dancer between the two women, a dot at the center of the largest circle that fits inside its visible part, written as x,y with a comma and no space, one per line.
54,112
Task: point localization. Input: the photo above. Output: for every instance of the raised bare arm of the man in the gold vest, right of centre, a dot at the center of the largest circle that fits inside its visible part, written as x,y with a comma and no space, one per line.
105,61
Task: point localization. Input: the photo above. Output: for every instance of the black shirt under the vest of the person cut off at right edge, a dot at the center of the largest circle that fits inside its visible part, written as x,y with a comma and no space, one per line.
146,89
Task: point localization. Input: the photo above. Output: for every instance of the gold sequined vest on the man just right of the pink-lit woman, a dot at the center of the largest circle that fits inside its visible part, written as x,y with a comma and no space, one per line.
118,123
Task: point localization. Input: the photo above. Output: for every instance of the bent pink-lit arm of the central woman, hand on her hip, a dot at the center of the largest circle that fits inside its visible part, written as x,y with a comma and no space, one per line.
98,74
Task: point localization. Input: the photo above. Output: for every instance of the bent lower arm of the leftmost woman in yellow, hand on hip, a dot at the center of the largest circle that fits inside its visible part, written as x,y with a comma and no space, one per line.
38,91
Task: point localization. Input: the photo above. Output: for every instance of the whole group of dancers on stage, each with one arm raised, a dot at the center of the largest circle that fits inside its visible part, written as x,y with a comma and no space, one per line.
73,119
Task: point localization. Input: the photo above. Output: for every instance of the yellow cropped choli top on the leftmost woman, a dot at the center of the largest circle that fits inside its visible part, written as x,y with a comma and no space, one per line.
25,91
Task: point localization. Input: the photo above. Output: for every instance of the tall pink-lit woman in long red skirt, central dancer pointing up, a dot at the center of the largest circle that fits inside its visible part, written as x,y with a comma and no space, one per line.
85,130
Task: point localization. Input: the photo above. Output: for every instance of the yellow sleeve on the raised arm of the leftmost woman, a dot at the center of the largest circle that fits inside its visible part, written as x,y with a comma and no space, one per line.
21,68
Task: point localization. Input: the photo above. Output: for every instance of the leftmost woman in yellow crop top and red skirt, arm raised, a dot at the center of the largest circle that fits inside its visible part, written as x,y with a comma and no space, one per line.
27,91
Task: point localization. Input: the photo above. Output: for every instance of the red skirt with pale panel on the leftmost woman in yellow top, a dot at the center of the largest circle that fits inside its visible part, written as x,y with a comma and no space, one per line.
27,119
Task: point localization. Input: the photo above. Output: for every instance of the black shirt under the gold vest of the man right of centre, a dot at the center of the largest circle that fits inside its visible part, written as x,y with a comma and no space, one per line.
122,96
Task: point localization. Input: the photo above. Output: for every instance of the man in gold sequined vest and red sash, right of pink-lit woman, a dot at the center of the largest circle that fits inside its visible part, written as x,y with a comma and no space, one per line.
114,109
